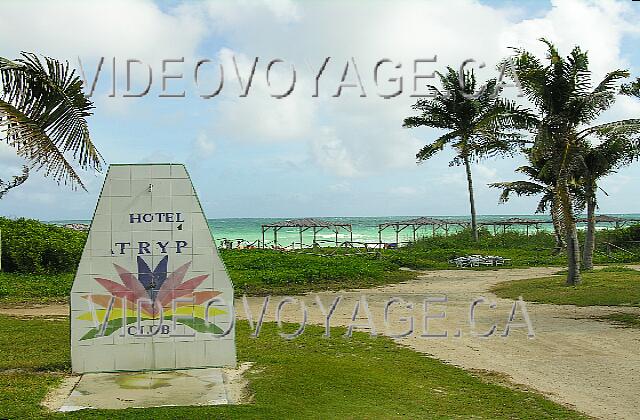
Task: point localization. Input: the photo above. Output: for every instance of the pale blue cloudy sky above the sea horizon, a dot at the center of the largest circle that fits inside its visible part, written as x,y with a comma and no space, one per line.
310,153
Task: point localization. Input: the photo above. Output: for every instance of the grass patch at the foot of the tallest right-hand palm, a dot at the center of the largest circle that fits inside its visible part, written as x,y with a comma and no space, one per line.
612,286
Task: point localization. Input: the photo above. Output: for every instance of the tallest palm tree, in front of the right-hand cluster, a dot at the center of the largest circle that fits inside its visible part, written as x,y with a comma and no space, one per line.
562,92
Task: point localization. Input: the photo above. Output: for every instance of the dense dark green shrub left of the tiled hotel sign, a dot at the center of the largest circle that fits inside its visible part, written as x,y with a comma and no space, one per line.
30,246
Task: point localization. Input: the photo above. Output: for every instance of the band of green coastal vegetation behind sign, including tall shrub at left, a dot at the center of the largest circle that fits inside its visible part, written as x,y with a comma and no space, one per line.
39,260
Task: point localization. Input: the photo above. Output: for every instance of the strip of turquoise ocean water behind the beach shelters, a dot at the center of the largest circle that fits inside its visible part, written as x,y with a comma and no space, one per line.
365,229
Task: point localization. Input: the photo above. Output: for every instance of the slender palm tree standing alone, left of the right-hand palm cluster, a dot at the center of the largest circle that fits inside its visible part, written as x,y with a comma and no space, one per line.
479,124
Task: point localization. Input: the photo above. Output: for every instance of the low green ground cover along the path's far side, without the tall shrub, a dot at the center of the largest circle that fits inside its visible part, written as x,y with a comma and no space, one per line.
260,272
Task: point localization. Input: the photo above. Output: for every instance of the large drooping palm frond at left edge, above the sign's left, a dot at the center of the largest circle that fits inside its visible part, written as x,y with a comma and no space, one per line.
43,116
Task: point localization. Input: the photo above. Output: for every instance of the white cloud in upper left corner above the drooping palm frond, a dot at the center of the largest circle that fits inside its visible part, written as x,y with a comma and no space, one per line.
85,31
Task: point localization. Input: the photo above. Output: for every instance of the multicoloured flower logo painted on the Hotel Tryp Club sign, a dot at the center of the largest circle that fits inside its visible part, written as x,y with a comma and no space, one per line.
154,293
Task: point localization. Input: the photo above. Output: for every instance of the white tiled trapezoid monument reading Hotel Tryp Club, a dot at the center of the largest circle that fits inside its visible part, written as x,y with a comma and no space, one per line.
151,291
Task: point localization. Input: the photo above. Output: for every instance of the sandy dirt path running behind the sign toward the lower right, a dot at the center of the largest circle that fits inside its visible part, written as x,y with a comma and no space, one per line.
573,359
